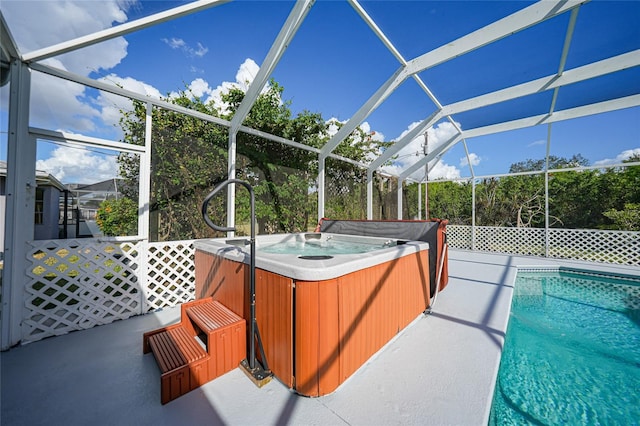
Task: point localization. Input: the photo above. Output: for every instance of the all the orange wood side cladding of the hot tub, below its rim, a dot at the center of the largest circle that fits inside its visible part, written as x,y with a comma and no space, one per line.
339,323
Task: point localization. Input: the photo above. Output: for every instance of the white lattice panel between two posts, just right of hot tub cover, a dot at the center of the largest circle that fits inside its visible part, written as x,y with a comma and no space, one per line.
525,241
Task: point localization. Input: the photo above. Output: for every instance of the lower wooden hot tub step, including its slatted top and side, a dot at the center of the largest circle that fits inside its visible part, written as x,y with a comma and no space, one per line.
183,362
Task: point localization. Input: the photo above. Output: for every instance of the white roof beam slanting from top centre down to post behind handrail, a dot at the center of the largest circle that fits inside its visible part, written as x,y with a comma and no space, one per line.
279,46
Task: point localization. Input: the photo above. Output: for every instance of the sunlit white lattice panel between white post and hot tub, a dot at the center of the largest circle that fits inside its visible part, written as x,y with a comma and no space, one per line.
170,274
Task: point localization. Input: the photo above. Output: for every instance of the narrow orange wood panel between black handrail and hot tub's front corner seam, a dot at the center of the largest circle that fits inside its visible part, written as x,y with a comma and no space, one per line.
274,314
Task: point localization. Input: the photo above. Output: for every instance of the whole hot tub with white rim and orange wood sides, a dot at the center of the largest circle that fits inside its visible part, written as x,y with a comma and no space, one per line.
321,314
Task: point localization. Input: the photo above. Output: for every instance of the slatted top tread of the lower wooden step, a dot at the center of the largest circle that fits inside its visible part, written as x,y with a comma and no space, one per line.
175,348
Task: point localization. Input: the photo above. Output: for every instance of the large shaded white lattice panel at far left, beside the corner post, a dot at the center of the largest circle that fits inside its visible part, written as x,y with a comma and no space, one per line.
77,284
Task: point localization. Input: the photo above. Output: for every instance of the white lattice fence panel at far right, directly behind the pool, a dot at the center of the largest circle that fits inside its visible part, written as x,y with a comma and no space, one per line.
622,247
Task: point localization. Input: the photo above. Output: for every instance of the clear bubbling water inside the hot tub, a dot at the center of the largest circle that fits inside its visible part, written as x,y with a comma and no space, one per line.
322,247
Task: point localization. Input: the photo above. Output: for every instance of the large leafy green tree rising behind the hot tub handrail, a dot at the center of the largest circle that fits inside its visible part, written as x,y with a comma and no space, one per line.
190,158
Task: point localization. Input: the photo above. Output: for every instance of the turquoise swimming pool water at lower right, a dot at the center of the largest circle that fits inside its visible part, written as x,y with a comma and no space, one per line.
572,352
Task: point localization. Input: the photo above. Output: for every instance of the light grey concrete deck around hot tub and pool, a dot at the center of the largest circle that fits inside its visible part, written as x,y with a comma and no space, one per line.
438,371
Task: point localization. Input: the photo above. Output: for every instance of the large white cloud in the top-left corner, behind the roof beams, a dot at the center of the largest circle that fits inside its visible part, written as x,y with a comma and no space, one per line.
57,103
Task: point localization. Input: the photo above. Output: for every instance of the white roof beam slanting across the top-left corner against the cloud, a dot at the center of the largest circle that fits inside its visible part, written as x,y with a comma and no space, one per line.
120,30
